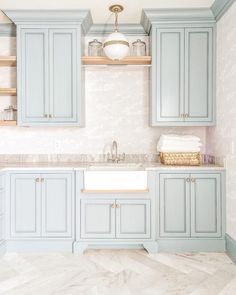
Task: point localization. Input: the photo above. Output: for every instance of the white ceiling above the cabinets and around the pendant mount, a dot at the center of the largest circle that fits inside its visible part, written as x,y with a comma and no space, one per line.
99,8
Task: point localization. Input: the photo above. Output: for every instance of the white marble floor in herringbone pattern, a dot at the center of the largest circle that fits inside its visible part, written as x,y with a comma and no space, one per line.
117,272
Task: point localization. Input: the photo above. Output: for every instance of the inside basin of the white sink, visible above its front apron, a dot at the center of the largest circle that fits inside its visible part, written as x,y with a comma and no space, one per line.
116,166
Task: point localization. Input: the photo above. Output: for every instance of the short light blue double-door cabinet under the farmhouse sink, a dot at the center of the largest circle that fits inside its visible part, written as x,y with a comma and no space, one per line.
120,219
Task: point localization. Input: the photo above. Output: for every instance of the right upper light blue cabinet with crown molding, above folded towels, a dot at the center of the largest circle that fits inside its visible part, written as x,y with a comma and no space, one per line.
182,74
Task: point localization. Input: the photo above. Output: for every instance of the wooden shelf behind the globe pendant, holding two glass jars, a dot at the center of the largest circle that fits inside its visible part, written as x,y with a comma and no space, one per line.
130,60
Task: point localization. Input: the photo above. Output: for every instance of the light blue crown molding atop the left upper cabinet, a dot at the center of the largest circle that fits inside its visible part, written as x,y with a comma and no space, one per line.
76,17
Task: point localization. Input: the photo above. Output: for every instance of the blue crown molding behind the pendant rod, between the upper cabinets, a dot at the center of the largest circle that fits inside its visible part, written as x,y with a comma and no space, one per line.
106,29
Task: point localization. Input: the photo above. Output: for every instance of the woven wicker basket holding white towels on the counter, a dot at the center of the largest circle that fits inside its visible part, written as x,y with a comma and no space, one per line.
183,159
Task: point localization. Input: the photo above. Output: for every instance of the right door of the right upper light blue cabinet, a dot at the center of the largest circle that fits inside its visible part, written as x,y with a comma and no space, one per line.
198,75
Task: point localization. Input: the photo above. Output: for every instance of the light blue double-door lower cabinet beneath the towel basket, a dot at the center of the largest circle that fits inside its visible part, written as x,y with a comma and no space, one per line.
190,205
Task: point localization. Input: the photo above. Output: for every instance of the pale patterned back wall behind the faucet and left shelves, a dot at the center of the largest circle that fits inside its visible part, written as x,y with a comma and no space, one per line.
116,108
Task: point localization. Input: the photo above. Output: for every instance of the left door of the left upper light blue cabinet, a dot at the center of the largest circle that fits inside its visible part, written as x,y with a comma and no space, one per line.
32,78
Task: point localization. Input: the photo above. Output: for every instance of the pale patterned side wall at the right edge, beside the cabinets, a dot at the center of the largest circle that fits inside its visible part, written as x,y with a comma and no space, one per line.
222,139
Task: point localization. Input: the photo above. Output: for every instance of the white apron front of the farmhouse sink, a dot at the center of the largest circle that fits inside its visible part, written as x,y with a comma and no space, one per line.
102,180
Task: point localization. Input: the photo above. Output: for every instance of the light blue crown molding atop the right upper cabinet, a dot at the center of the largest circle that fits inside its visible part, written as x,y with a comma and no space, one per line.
165,16
